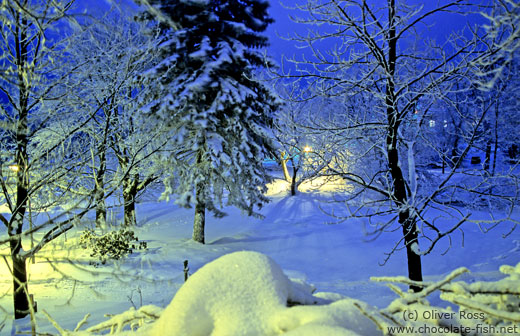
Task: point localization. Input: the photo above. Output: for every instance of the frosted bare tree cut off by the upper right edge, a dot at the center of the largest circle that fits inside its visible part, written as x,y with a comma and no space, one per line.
496,72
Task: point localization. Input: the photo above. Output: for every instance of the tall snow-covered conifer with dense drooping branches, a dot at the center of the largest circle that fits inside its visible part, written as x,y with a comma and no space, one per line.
219,113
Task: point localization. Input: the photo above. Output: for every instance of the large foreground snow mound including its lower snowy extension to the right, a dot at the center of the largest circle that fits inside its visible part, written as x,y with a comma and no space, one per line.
246,293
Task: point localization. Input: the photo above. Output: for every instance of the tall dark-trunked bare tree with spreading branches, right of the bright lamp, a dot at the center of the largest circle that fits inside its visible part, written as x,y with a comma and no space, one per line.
379,52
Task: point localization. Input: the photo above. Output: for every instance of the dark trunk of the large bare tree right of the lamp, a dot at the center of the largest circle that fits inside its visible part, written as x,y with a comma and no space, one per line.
399,186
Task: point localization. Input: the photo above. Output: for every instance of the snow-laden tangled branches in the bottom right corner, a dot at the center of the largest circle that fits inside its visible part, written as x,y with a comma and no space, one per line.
482,308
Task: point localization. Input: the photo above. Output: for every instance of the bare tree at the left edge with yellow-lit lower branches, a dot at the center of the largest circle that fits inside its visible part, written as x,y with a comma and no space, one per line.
48,108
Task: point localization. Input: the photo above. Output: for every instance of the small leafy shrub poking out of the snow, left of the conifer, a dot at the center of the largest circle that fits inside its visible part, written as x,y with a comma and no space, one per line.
112,245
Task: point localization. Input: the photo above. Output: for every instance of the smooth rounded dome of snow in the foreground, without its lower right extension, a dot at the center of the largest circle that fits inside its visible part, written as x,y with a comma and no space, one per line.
234,295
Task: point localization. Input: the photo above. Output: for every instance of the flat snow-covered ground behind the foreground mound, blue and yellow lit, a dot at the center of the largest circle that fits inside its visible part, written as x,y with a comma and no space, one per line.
295,233
